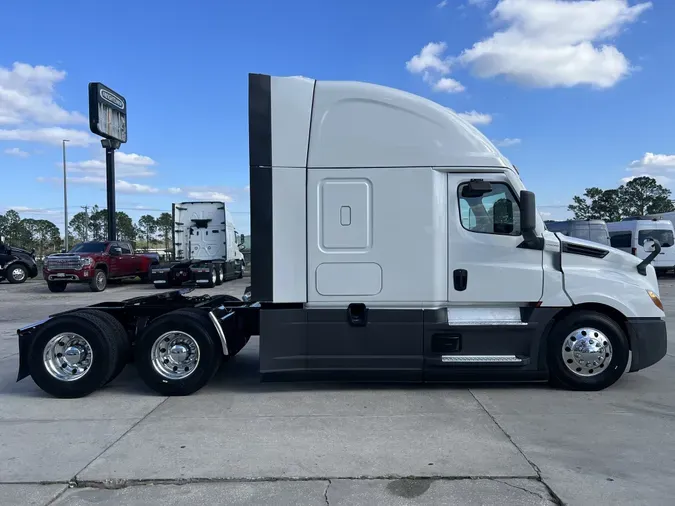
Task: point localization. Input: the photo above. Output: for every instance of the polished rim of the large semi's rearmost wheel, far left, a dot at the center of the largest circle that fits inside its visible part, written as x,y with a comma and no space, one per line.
68,356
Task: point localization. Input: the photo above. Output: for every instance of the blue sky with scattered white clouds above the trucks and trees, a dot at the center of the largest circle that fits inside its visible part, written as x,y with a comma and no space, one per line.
577,93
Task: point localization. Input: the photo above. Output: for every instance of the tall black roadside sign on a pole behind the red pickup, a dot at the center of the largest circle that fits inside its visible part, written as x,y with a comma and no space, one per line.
108,119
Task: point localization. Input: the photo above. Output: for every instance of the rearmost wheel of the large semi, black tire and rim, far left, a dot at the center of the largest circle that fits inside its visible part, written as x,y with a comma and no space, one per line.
91,333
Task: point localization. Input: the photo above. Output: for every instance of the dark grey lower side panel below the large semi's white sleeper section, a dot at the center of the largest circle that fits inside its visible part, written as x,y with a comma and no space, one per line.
366,343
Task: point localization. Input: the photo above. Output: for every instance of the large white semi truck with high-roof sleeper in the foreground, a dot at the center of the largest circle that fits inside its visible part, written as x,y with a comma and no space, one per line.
339,172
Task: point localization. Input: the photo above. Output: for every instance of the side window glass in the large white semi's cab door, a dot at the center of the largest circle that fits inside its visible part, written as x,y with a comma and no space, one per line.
494,212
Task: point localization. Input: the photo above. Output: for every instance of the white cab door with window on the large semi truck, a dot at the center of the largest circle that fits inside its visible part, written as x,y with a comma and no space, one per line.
486,264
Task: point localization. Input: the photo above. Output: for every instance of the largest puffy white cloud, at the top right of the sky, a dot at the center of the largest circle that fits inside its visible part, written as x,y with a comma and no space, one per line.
550,43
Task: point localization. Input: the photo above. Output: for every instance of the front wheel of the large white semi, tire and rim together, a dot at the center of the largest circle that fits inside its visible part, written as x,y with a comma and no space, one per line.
571,368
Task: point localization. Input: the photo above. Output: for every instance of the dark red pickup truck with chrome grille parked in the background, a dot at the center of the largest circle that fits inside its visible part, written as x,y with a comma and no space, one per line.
95,263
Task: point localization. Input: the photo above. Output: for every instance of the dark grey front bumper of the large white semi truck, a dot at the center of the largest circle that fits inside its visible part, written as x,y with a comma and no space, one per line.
648,340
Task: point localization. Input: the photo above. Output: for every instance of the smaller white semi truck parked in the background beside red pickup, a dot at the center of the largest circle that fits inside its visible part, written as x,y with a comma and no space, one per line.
205,247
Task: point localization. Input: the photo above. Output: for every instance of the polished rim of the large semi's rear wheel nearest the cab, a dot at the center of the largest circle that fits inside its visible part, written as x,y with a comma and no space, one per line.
175,355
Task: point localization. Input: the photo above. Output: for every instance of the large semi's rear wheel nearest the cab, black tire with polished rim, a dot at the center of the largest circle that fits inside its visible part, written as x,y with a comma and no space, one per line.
168,379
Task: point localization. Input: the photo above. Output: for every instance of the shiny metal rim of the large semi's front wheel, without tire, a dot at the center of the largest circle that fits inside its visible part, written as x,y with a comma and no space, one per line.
587,352
